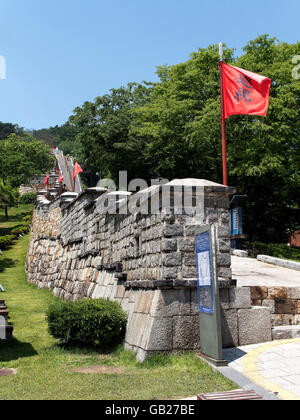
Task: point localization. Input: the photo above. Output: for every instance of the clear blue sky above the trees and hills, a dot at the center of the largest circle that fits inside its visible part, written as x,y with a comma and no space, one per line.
60,53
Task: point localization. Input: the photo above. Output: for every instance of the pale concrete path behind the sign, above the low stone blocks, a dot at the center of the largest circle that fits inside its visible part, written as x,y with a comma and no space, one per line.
250,272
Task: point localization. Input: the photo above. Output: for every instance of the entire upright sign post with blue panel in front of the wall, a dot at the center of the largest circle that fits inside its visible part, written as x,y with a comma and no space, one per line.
208,296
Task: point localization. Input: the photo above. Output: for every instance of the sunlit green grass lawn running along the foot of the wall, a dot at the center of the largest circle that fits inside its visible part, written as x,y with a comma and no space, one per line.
44,369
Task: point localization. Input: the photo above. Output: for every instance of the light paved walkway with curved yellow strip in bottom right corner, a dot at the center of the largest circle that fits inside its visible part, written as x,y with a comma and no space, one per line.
273,366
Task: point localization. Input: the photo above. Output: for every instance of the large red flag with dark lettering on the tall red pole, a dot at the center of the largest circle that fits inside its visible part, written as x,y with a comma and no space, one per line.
244,92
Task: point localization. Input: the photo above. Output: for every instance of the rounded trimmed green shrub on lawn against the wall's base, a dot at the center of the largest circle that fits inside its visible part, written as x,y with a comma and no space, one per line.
87,323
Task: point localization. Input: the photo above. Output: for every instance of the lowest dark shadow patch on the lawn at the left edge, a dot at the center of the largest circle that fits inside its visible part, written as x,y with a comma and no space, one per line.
14,349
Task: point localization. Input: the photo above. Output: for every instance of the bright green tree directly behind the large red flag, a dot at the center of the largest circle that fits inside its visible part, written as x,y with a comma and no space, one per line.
182,122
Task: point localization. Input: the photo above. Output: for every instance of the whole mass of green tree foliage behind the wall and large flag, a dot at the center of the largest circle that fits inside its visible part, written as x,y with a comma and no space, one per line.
172,129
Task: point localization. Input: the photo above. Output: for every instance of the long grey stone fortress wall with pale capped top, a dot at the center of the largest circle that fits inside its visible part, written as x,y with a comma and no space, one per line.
146,262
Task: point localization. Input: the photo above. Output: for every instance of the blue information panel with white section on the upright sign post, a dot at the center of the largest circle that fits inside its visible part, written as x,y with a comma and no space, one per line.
204,273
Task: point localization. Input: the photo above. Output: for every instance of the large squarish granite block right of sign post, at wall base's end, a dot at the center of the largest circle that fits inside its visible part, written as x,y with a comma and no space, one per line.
254,325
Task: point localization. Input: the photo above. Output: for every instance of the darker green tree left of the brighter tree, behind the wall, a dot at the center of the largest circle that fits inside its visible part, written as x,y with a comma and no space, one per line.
104,144
